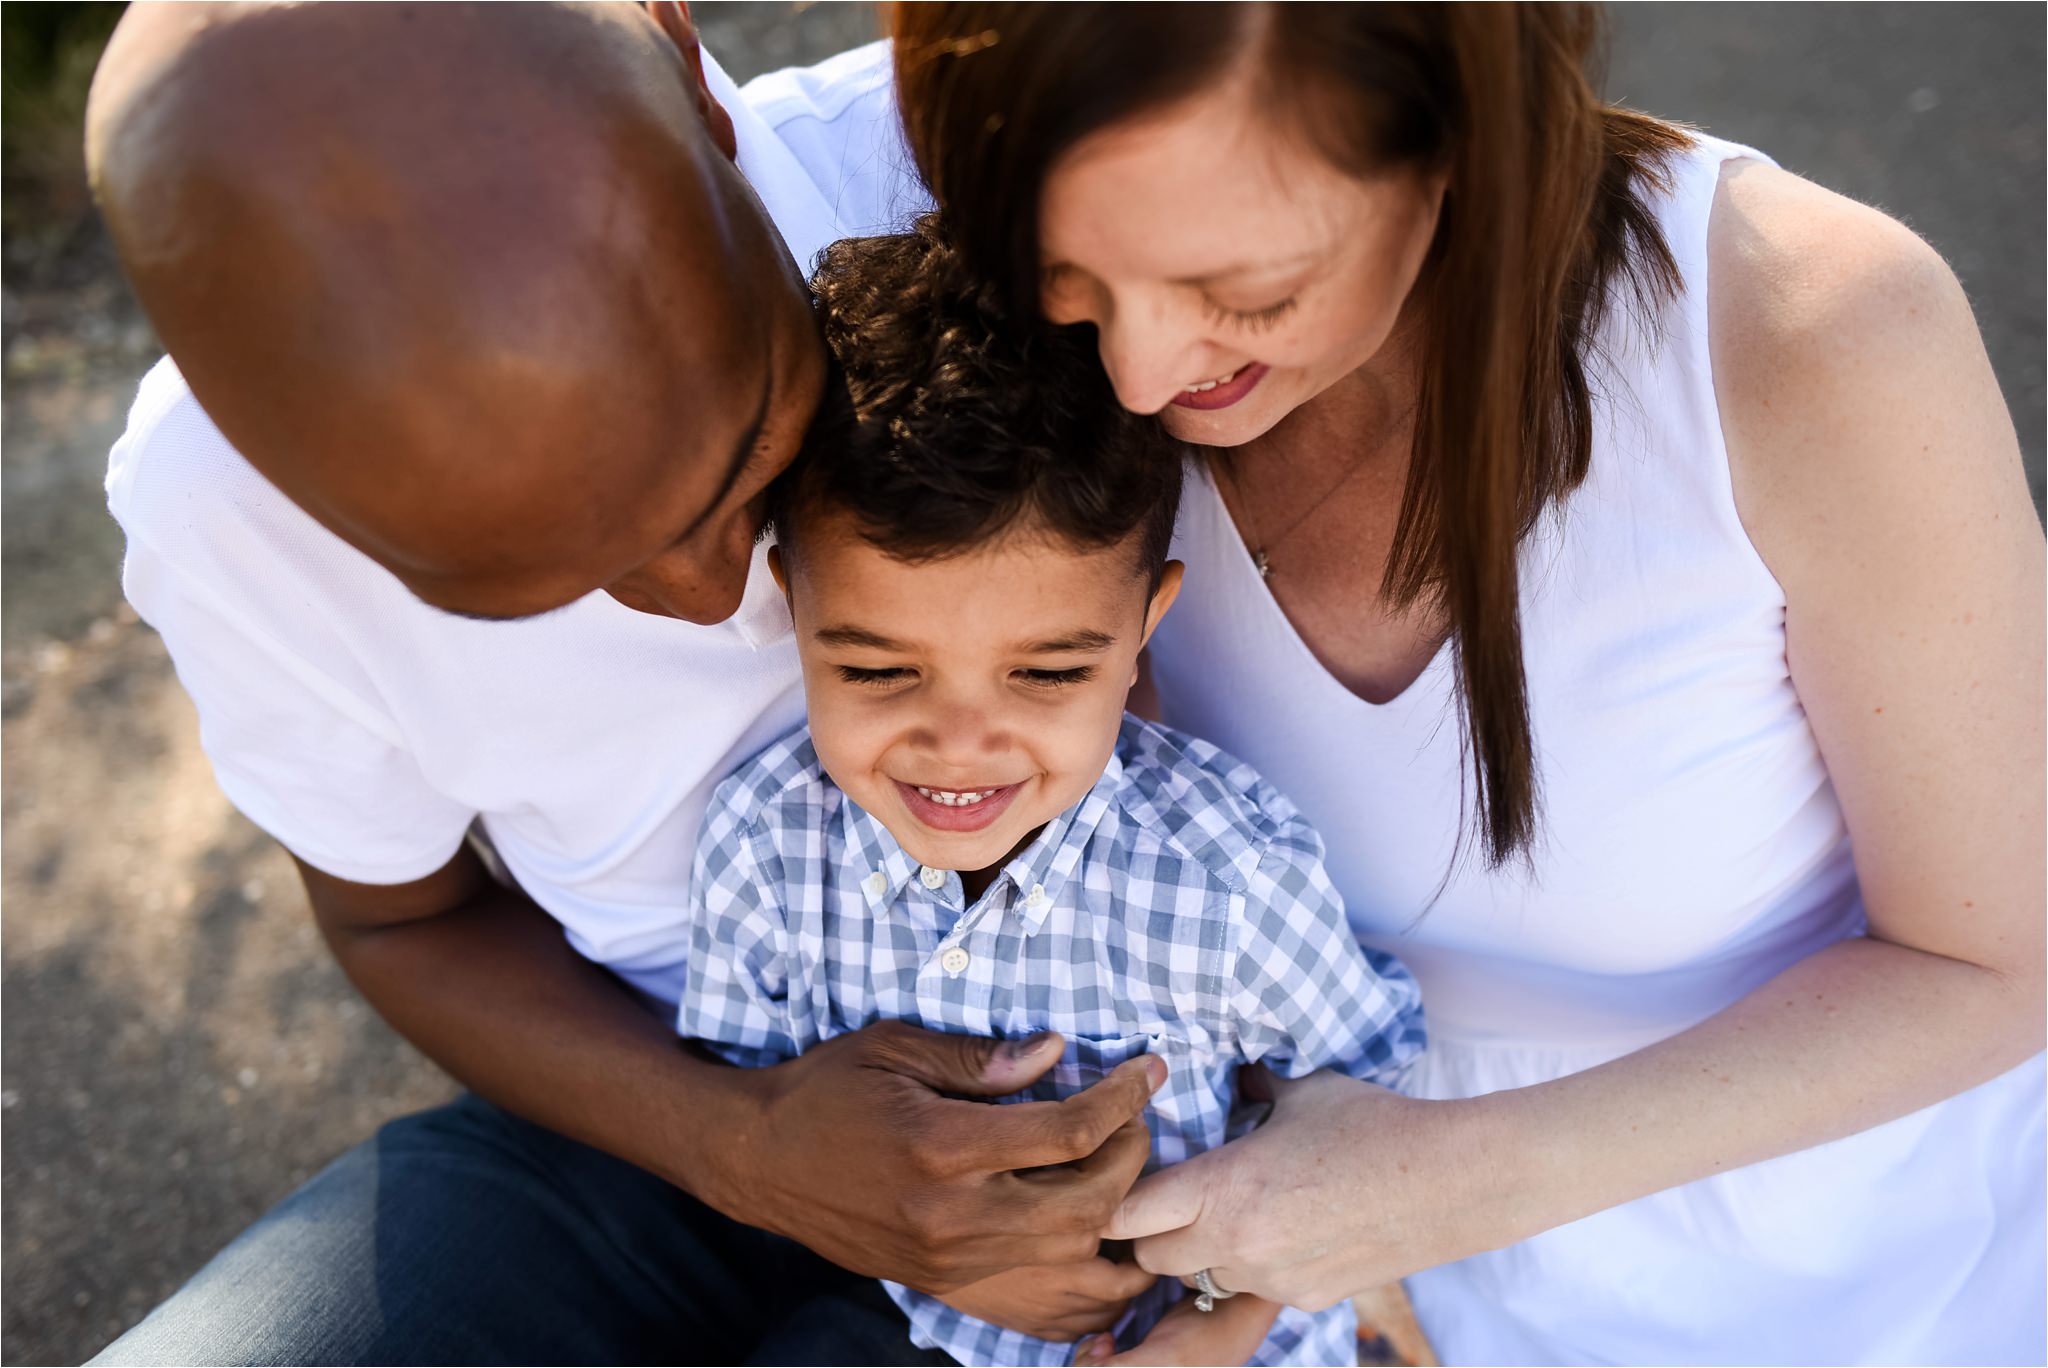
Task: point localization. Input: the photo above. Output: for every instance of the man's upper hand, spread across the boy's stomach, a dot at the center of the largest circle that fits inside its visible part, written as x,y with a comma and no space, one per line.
857,1152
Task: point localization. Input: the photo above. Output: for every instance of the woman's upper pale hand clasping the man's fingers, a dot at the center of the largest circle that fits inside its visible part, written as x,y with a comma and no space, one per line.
1342,1189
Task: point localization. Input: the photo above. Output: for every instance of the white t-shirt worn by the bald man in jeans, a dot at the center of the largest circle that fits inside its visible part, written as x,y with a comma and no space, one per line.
368,730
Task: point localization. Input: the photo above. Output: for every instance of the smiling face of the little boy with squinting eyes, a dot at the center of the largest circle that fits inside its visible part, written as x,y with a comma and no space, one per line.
968,701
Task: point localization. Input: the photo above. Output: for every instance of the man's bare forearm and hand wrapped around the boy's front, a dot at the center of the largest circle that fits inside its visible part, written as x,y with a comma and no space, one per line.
849,1150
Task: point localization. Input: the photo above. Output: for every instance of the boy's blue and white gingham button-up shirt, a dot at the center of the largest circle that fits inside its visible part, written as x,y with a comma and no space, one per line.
1179,910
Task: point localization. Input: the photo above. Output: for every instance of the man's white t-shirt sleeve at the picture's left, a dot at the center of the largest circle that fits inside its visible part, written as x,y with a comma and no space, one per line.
232,579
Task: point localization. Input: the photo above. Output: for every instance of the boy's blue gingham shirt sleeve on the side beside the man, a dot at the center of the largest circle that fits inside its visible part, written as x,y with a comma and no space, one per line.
736,984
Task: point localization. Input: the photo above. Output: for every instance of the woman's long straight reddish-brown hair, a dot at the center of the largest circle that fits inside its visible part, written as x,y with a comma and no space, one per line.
1545,214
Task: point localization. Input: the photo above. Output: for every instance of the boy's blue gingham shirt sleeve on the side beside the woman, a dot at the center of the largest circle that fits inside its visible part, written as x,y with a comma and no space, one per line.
1308,996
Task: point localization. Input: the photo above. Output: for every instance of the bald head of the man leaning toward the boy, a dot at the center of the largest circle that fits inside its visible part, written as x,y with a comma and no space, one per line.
478,288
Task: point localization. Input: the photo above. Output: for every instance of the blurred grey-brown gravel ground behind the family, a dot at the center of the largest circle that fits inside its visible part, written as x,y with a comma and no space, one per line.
179,1050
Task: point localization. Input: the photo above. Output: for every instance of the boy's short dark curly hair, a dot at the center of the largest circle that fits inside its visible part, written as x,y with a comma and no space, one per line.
945,423
